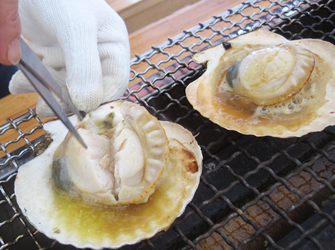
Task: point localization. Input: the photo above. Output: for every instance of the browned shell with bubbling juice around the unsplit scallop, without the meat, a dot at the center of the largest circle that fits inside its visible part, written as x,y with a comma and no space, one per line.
307,109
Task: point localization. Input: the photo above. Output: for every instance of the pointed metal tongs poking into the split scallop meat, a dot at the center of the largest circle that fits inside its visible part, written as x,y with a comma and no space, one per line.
41,79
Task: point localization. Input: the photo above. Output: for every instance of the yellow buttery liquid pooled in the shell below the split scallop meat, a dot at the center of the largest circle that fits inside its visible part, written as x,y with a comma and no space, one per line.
95,224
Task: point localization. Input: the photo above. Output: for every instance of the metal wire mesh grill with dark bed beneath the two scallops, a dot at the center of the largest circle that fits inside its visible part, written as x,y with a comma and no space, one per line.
255,193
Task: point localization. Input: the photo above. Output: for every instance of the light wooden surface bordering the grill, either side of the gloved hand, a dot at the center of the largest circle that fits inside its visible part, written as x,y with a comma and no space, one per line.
140,41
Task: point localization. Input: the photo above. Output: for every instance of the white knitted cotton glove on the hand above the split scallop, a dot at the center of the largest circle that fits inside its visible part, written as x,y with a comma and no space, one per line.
85,46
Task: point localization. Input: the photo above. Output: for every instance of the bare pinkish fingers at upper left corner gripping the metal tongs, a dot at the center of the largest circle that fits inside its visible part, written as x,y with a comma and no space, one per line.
10,31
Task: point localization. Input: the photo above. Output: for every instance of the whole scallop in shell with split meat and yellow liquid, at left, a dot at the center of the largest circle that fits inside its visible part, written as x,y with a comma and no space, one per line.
135,178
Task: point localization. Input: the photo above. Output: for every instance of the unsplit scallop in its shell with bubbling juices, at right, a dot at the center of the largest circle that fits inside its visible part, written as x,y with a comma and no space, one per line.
265,85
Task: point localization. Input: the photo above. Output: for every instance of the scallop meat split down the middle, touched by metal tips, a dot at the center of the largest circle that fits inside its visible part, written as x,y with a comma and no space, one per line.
104,173
